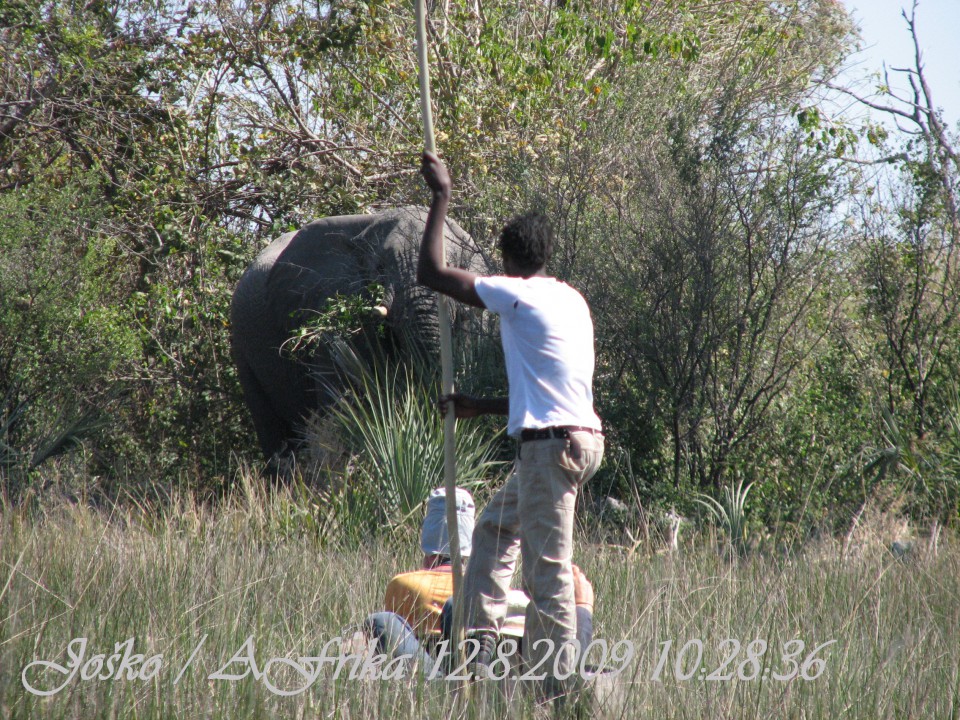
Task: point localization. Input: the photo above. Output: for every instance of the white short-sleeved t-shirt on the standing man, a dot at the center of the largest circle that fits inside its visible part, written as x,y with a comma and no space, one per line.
547,336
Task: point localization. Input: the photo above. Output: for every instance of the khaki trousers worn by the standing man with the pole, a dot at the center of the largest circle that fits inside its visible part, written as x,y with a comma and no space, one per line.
533,515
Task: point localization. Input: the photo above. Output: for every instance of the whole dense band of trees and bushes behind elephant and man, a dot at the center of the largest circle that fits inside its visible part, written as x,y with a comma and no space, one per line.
772,282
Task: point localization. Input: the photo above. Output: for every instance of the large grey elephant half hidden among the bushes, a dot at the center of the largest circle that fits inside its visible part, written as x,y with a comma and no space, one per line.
297,274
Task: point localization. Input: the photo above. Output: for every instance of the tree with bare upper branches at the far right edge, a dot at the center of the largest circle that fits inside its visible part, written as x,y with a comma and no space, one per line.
906,248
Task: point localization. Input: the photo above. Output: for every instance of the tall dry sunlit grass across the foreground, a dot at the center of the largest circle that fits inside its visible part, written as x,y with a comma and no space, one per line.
191,583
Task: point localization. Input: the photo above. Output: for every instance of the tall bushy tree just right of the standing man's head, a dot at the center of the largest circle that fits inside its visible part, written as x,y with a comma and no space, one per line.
697,214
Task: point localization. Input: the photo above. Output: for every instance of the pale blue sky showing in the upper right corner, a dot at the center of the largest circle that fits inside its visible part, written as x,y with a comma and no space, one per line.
887,39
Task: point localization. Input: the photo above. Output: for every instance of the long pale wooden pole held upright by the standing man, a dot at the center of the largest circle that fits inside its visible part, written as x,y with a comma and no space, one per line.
446,358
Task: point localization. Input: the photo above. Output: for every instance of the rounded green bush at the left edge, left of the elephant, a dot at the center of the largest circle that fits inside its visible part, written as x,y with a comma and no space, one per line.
65,334
